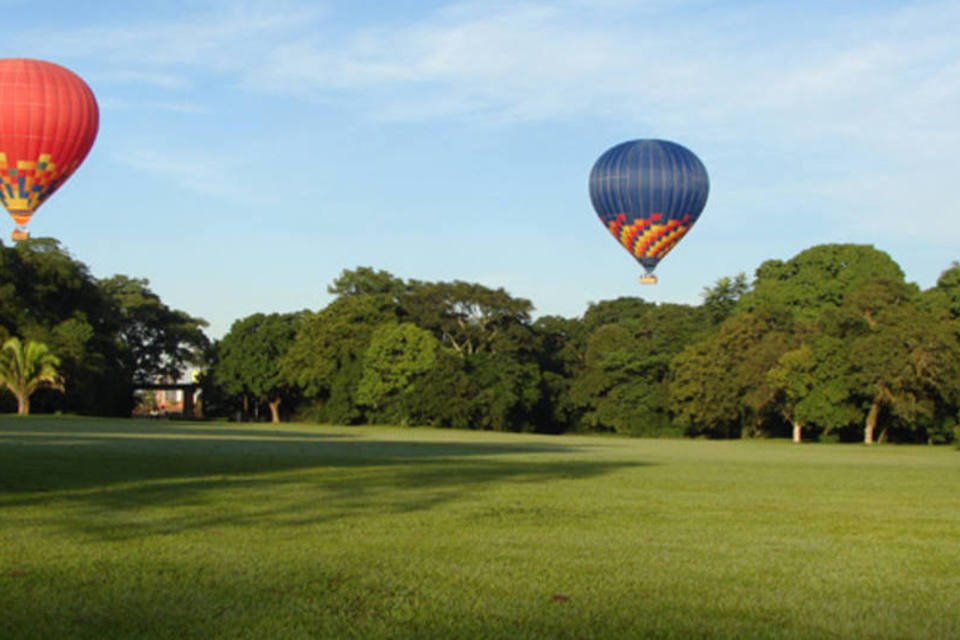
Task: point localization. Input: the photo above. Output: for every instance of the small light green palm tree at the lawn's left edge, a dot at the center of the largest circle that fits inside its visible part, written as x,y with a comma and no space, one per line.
26,367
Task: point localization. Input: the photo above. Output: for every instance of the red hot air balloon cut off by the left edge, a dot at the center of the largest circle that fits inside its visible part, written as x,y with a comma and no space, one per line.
48,121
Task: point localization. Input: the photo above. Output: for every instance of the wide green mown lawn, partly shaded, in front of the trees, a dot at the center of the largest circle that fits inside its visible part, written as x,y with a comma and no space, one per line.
155,529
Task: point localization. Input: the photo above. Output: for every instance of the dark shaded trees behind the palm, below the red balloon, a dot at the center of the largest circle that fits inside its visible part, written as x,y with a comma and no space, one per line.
109,334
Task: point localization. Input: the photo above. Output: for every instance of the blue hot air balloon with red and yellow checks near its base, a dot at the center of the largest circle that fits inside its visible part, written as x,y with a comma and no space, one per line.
648,194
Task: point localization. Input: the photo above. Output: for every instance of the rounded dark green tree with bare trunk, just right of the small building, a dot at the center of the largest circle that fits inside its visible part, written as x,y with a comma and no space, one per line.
248,359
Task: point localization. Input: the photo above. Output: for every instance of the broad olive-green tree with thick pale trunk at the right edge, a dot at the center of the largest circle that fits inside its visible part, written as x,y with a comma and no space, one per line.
884,359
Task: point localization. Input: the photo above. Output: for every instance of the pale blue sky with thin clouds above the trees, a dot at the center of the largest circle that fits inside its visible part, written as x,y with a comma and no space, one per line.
249,151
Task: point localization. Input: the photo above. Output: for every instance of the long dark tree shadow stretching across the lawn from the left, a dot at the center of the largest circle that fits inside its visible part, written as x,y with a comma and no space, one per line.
121,482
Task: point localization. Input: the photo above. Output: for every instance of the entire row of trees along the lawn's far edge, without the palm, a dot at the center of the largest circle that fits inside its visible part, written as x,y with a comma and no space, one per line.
832,344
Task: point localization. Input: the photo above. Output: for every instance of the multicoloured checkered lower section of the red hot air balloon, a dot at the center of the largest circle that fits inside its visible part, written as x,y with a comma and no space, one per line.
25,184
